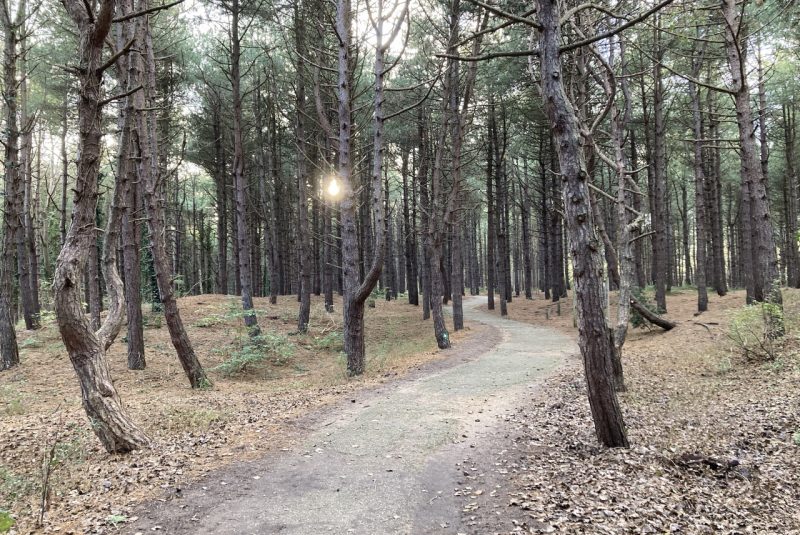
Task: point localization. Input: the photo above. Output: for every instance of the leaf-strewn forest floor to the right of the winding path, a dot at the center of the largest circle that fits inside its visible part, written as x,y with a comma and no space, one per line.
715,437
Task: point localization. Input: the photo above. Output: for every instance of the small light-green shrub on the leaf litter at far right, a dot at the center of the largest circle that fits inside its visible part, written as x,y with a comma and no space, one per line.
752,331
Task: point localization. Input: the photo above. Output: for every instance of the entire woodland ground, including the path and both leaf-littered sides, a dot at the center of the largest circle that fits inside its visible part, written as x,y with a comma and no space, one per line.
503,442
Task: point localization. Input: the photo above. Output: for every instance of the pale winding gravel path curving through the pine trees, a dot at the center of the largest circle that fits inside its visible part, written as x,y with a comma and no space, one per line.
385,463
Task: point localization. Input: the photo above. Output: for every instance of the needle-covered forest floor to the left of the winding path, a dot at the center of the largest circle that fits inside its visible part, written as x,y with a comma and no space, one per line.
246,415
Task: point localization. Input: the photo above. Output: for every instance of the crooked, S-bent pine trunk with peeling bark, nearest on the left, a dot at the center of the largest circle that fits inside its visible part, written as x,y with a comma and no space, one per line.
100,399
